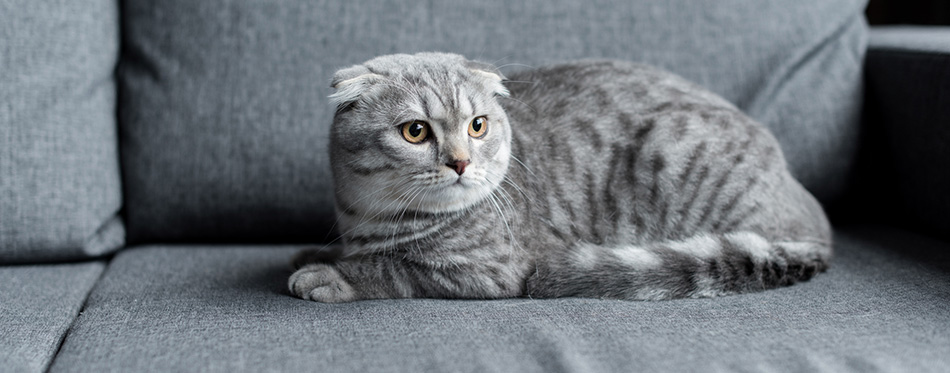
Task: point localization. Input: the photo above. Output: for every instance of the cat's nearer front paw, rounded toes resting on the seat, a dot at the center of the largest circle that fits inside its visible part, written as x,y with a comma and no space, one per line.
321,283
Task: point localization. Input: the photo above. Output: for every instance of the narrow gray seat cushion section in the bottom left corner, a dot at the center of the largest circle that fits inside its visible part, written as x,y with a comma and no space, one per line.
38,303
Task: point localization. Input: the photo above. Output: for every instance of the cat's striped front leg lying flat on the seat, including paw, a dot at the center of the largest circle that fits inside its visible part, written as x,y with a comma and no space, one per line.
384,276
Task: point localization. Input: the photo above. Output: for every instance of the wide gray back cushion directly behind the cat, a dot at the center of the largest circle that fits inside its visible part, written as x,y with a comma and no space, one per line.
224,112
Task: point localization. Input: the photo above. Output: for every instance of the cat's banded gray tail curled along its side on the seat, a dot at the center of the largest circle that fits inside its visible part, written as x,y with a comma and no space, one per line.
706,265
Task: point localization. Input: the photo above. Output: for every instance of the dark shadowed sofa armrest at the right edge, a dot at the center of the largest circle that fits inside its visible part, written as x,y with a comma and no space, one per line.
905,160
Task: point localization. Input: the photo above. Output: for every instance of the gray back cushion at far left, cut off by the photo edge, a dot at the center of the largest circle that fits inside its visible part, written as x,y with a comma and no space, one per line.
59,165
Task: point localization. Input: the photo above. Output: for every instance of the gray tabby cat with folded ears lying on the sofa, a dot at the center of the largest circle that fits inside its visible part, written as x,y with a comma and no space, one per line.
592,179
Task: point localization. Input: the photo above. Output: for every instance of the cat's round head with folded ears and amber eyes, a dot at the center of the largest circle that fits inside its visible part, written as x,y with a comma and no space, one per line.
420,132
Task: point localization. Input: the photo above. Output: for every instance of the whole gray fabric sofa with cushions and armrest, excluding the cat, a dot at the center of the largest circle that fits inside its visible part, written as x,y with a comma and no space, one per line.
160,162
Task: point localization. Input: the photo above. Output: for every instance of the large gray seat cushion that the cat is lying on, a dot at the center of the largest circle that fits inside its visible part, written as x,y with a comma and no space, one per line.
882,307
